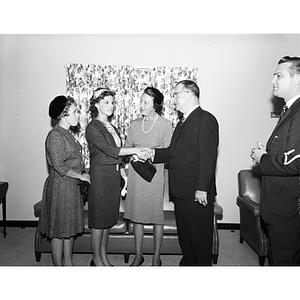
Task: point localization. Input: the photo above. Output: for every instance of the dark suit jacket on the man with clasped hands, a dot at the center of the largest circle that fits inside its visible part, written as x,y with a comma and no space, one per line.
280,168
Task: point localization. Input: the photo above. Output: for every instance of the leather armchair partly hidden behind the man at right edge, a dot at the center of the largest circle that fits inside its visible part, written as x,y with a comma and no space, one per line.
251,226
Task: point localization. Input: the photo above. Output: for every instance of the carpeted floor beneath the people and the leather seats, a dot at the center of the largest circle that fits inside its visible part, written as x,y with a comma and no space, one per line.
17,249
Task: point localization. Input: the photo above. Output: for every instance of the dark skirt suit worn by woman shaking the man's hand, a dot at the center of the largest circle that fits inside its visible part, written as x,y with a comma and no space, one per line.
104,193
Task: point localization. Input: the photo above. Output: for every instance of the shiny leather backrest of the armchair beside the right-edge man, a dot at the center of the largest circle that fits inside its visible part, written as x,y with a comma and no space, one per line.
249,184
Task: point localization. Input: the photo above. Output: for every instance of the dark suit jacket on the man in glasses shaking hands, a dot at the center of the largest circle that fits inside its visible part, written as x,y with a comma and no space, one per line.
192,155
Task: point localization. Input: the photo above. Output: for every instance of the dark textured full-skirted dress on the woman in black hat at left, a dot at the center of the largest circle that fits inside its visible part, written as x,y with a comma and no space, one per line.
62,205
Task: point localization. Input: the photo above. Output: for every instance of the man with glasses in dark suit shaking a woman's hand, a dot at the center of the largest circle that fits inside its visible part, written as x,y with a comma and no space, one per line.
192,157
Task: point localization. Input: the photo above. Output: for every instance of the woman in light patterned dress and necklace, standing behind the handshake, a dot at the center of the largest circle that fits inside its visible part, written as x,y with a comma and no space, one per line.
144,200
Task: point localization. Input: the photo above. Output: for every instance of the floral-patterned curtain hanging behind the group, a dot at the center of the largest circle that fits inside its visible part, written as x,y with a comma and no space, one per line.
128,83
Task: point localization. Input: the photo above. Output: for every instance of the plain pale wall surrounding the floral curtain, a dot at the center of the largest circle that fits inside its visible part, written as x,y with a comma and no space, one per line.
234,76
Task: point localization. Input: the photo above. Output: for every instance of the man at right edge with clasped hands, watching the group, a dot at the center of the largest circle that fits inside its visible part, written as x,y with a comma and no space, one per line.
280,166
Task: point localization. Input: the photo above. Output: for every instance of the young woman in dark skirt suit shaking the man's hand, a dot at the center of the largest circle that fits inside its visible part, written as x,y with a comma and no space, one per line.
105,150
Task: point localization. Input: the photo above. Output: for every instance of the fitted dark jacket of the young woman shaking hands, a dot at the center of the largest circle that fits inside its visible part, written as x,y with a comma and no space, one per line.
102,147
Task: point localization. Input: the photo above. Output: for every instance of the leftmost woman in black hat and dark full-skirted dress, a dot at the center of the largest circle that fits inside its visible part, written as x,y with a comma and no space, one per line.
62,206
